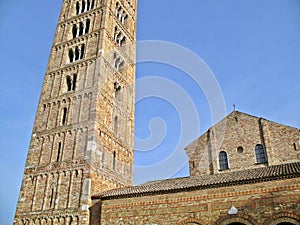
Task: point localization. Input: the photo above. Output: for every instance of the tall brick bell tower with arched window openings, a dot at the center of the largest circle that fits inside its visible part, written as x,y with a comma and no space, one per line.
82,139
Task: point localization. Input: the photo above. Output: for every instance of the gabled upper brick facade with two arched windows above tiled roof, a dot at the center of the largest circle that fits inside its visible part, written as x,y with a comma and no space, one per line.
241,130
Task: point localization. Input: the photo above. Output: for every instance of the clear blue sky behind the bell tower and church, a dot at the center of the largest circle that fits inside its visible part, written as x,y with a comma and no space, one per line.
251,46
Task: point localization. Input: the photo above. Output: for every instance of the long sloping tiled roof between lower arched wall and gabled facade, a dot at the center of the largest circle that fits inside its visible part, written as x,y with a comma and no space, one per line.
277,172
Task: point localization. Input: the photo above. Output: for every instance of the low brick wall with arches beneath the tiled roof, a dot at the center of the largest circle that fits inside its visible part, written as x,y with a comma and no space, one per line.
260,203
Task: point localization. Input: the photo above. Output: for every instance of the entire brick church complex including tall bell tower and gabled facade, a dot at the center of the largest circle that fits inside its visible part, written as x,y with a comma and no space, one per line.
245,170
